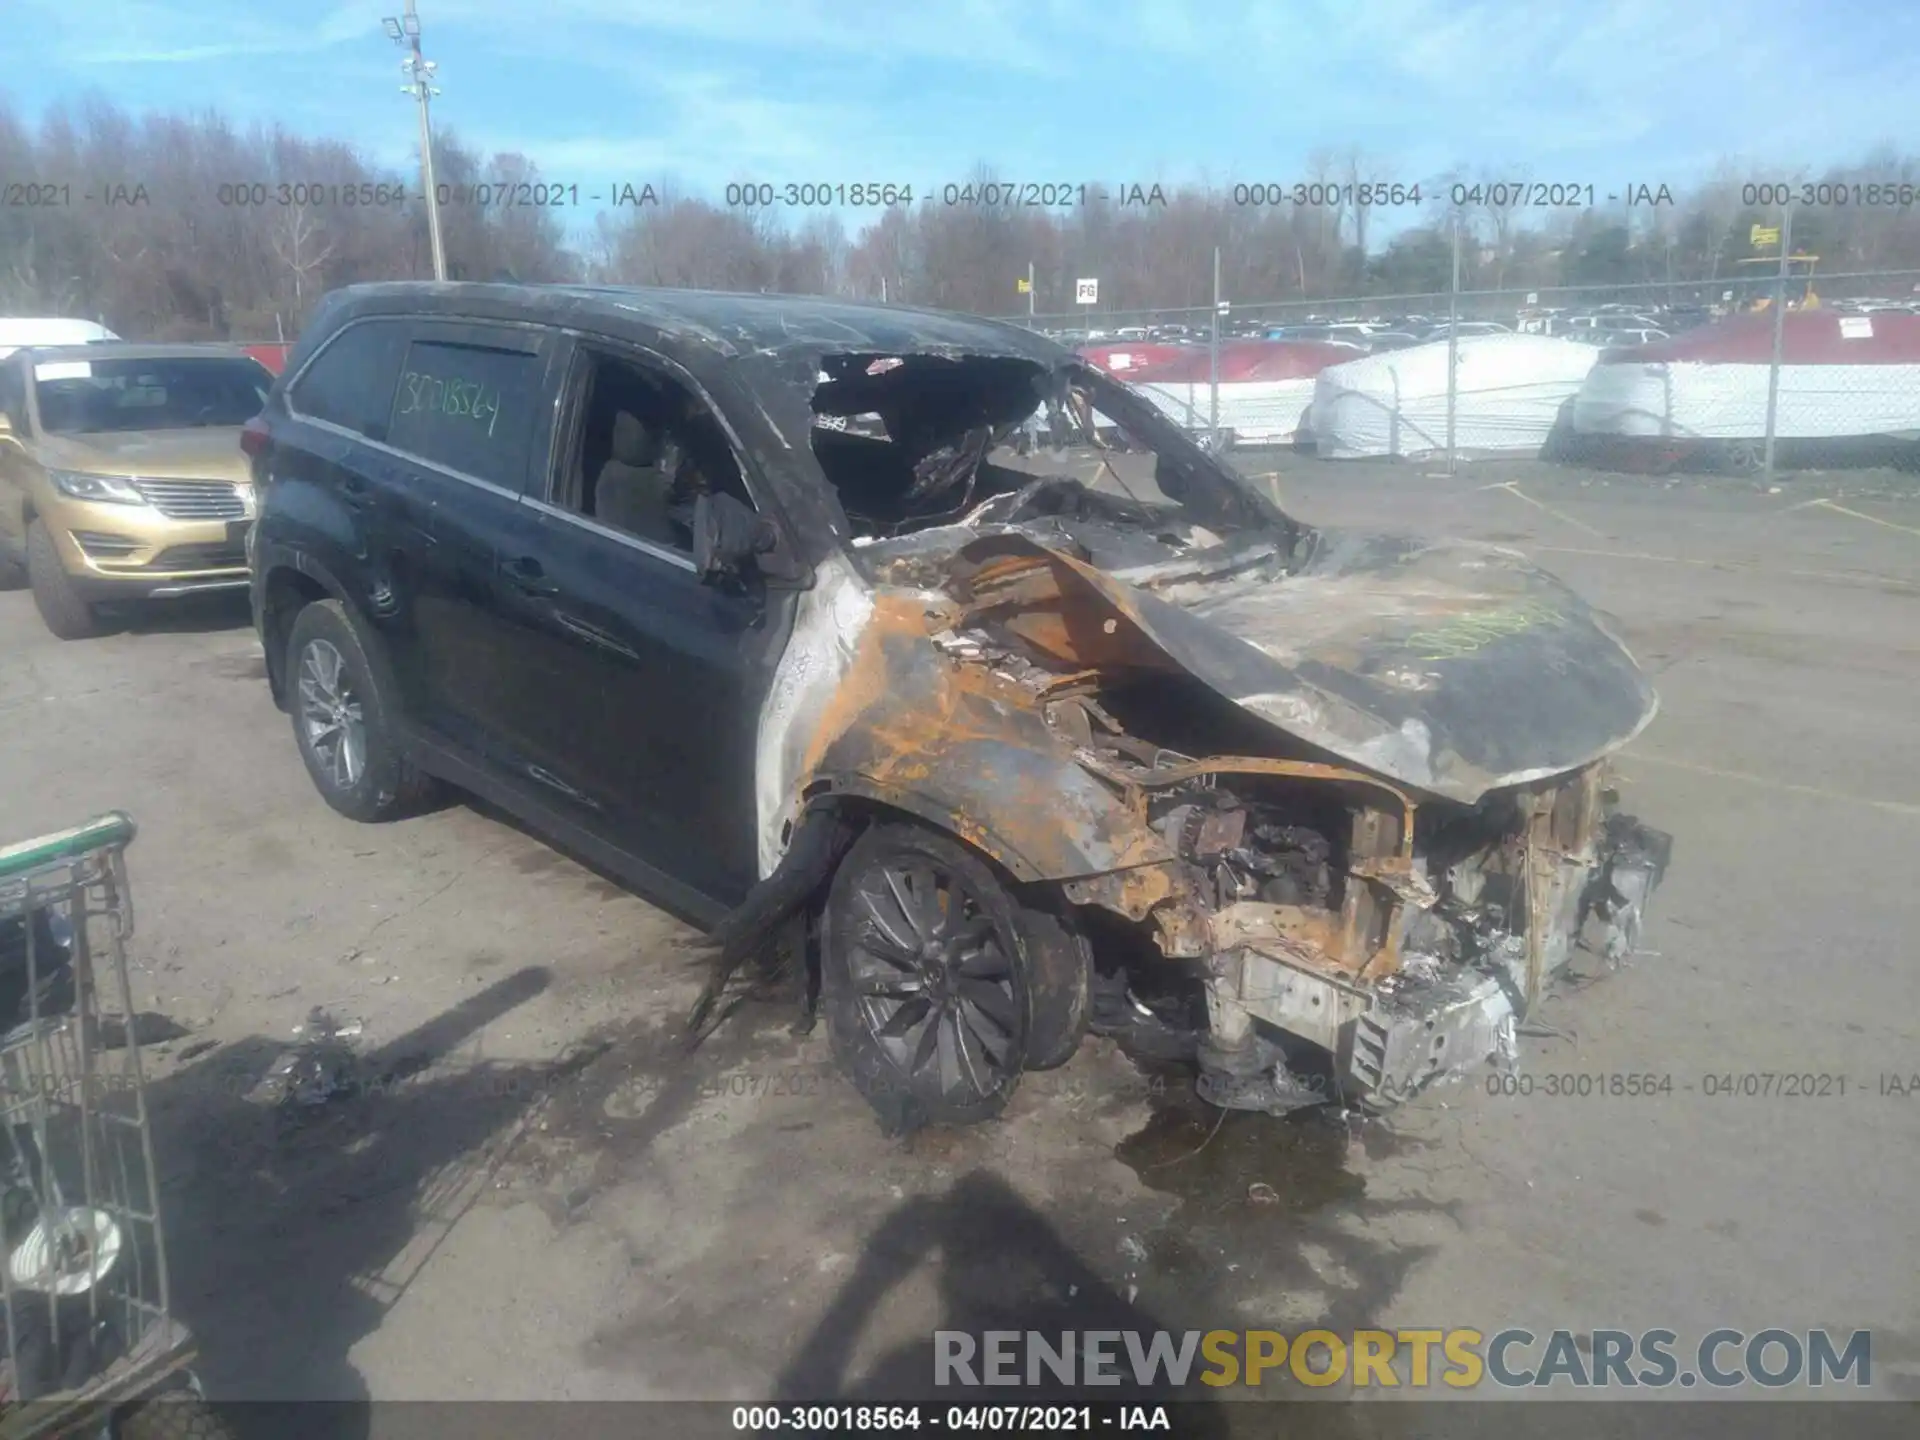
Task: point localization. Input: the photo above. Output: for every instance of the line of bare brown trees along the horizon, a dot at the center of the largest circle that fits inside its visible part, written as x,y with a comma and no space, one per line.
199,229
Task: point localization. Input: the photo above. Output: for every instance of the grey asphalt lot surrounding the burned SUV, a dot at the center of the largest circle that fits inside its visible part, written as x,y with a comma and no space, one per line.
552,1201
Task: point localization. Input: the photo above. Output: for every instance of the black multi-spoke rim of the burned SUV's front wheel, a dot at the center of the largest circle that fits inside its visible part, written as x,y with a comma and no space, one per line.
934,978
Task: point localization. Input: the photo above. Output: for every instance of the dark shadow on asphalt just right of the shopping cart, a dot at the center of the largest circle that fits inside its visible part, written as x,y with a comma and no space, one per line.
293,1226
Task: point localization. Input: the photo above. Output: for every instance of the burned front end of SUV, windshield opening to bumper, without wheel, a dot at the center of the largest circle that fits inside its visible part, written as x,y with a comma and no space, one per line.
1353,790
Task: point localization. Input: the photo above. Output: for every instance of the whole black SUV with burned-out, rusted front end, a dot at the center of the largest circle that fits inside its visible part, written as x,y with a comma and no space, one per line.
1013,744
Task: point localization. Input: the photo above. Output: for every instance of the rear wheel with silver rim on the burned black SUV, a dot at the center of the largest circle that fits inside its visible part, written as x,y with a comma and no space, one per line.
345,719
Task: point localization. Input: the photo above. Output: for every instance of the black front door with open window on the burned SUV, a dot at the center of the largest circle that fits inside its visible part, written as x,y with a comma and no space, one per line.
642,686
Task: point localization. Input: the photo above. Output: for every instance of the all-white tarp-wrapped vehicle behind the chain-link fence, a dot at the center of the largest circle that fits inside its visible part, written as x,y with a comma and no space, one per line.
1510,395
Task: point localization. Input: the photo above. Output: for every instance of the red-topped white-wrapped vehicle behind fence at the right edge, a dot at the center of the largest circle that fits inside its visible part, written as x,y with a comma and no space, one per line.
1840,375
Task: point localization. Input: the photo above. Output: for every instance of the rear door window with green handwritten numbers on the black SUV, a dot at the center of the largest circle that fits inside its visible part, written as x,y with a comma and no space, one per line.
469,408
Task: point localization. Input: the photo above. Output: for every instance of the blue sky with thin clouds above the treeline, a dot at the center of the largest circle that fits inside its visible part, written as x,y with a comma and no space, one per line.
1122,91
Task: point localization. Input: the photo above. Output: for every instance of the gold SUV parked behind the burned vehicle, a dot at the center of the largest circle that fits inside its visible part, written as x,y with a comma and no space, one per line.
122,475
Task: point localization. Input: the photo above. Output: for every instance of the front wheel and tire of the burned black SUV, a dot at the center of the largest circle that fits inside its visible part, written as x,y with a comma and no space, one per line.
926,980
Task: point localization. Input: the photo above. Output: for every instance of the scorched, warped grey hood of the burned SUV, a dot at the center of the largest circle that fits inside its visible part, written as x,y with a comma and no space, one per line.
1452,669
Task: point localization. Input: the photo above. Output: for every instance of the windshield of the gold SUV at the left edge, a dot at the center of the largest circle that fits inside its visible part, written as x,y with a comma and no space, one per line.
103,396
